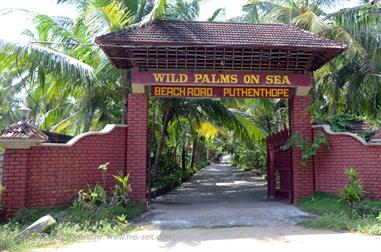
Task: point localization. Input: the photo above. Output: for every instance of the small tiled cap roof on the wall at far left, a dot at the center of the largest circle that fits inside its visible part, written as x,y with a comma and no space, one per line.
22,130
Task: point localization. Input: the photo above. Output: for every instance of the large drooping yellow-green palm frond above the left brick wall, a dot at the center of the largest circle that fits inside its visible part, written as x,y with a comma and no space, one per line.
40,70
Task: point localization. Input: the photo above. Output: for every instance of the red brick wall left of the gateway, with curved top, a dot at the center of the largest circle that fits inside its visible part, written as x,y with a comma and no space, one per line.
46,175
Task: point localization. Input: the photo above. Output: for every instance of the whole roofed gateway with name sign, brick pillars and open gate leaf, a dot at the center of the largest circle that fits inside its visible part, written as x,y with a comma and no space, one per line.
221,60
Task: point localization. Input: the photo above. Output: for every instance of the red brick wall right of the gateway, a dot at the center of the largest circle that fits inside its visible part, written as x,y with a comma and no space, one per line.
346,151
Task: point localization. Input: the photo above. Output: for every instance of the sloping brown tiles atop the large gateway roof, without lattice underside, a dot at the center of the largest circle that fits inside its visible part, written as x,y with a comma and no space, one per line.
216,33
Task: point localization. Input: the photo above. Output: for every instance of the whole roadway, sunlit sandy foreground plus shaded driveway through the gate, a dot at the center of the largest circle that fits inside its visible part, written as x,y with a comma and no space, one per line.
221,196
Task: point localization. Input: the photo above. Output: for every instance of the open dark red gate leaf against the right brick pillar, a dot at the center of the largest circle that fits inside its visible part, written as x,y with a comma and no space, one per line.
279,167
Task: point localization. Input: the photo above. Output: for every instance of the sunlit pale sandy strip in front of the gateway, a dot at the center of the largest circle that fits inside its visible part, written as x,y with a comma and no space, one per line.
292,238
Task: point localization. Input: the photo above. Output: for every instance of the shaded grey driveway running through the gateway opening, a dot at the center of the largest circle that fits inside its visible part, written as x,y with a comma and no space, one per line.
221,196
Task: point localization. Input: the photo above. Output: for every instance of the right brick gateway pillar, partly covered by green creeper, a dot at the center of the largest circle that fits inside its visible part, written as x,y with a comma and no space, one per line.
300,121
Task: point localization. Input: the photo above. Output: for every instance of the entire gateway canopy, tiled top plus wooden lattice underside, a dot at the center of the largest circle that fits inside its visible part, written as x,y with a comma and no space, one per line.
218,46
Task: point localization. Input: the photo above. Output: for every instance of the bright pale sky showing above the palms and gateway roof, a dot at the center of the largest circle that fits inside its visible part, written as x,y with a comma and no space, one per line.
13,24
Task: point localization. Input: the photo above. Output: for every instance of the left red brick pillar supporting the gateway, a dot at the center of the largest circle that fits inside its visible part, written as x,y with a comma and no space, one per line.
137,121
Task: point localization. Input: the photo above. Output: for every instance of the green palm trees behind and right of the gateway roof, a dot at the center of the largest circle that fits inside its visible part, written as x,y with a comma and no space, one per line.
337,85
